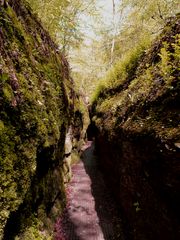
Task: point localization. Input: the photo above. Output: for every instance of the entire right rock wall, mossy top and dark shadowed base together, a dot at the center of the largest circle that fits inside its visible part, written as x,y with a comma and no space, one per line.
138,142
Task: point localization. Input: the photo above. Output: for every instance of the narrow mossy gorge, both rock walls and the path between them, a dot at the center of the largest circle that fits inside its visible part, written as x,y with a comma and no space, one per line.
118,154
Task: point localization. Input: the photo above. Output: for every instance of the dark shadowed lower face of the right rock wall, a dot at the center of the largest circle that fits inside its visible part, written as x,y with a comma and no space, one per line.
145,184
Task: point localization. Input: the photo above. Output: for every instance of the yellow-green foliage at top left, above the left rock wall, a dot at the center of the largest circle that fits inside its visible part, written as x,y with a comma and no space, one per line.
62,19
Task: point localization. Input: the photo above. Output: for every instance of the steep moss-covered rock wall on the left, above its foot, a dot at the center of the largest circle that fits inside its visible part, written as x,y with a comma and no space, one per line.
33,113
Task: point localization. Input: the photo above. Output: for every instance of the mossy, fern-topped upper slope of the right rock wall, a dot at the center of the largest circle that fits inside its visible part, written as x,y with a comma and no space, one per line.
141,94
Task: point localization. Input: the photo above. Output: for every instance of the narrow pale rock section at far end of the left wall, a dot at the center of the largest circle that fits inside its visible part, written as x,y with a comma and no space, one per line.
76,134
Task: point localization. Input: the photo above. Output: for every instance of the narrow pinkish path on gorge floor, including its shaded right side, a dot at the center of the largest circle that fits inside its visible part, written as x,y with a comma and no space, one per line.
91,213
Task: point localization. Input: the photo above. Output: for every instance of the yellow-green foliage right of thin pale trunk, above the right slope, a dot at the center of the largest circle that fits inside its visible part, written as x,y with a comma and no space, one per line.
141,21
